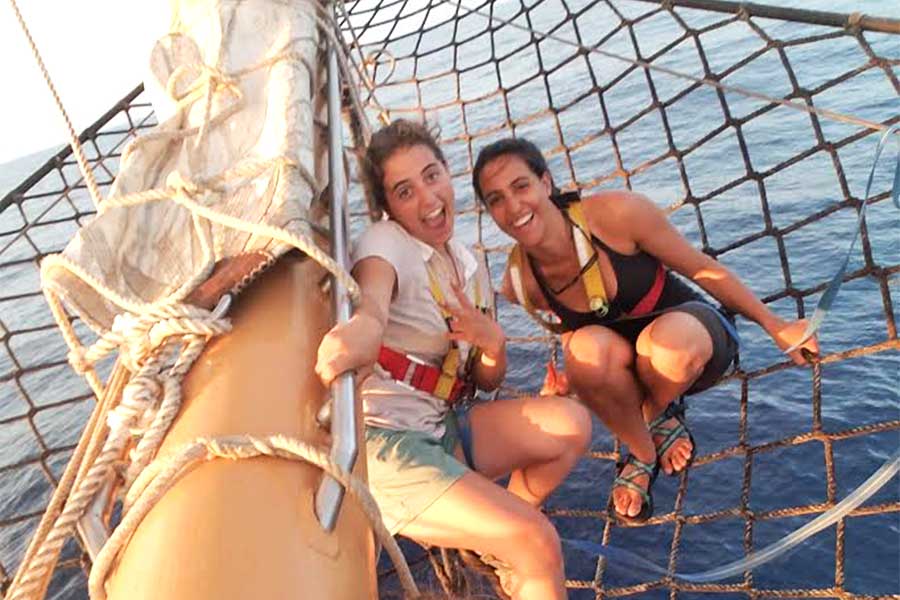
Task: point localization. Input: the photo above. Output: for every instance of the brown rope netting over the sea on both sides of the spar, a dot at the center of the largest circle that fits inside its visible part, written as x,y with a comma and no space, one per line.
755,126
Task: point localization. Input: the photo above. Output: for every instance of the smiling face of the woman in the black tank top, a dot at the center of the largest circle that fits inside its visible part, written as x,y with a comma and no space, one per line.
517,198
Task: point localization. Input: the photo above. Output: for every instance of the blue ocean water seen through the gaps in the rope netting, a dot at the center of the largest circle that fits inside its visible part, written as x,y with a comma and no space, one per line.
855,392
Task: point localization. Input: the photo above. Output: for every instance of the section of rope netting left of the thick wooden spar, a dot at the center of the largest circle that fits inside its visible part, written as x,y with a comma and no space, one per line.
44,404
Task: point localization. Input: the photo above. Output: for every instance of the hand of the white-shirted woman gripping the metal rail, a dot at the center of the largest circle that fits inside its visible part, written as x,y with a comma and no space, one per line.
348,346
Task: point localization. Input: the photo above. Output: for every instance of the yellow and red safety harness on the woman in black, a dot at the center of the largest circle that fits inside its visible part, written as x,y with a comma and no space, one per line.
591,278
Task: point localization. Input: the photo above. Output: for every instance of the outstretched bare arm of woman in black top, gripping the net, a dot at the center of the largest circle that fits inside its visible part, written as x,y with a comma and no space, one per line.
651,231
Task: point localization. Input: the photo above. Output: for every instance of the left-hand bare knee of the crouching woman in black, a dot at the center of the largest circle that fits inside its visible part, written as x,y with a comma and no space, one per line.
594,354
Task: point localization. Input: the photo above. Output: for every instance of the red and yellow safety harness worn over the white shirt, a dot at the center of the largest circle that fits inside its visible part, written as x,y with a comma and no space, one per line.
444,382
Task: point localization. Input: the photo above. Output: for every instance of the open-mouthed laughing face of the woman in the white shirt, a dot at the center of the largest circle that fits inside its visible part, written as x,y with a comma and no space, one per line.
419,194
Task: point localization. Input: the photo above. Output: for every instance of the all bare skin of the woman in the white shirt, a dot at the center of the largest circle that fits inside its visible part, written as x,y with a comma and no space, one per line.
536,441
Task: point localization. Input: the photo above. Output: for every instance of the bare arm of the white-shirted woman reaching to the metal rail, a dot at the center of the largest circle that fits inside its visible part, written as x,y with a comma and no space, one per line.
356,343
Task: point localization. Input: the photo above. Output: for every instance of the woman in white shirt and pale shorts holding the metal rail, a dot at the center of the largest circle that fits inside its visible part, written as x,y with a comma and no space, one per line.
421,323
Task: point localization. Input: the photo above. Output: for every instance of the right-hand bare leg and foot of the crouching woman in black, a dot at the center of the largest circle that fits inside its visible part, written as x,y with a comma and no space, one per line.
672,353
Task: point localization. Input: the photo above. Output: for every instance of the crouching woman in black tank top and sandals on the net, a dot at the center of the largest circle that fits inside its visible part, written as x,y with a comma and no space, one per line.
636,336
